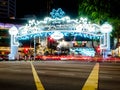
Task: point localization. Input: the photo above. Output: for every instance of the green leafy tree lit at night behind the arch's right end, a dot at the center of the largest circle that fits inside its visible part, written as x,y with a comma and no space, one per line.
100,11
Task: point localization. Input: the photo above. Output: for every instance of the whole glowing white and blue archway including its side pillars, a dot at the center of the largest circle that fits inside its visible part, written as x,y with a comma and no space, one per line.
64,25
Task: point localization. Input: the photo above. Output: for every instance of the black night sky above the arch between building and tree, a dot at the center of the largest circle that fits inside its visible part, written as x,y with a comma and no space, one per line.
42,8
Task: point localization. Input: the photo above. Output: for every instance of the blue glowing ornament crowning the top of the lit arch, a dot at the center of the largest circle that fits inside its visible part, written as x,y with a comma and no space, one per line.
59,13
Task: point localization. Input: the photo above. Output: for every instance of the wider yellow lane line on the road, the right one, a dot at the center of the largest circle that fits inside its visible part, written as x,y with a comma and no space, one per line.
92,81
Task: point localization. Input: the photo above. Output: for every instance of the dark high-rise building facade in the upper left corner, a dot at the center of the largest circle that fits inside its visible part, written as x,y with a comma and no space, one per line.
8,9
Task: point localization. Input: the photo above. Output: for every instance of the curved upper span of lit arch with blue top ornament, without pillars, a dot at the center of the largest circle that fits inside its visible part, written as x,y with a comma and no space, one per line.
58,22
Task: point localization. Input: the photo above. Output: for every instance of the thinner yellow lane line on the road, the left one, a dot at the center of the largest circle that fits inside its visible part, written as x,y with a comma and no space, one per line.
38,83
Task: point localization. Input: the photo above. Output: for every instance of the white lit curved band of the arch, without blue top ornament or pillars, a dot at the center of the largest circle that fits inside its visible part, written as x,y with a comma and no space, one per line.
48,25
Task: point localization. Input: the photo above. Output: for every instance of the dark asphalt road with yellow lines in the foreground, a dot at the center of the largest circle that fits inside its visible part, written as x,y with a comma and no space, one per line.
59,75
